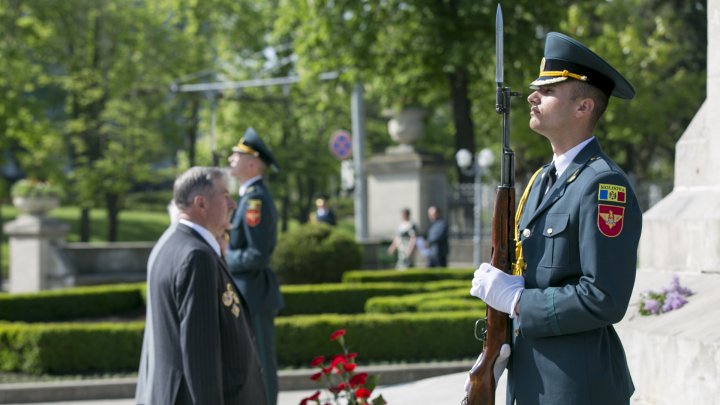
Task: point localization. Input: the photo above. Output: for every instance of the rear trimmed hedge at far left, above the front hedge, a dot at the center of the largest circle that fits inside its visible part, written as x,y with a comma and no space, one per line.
72,303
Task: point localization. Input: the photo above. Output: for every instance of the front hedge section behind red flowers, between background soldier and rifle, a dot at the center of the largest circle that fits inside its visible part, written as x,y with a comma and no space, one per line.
380,337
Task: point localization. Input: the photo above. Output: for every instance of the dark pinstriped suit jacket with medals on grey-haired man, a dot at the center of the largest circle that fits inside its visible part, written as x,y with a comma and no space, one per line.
198,346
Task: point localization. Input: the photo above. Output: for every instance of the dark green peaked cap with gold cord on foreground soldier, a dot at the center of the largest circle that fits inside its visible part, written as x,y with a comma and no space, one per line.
566,58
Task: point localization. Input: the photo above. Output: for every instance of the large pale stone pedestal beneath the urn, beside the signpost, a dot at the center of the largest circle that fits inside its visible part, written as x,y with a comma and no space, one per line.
403,179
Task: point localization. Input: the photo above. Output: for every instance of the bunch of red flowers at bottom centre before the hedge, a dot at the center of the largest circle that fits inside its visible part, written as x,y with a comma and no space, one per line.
344,384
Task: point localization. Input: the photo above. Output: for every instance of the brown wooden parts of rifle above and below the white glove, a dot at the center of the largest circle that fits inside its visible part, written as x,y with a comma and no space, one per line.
482,391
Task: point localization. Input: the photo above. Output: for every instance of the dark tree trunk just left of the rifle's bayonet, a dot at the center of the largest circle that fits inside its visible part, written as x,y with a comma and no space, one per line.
464,126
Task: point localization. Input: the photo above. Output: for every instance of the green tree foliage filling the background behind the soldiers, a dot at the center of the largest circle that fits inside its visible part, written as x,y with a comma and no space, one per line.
87,94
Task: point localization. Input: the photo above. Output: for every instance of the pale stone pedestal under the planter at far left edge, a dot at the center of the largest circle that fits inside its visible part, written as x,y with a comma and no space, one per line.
35,249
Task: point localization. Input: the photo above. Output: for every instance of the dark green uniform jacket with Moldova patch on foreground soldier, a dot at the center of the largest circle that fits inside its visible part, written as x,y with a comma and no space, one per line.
580,246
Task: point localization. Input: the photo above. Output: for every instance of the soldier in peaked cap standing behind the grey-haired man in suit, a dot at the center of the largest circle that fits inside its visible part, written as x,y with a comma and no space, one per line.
253,235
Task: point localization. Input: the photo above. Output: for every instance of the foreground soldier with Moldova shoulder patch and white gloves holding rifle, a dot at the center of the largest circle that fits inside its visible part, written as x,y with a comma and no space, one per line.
579,226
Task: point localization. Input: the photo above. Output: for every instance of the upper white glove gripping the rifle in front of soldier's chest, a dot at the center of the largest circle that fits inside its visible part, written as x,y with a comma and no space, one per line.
497,288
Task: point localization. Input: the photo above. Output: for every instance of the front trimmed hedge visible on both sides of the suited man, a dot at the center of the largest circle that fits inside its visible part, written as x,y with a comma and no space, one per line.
86,347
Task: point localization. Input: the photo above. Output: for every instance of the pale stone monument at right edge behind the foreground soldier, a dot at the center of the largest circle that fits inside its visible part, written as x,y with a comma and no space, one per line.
675,357
